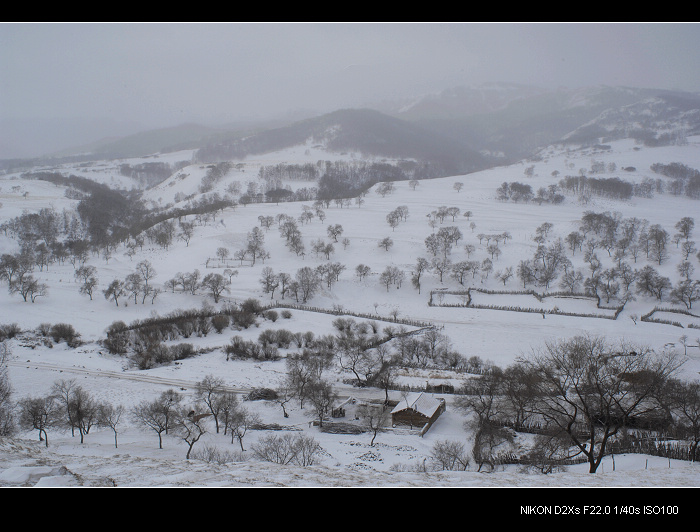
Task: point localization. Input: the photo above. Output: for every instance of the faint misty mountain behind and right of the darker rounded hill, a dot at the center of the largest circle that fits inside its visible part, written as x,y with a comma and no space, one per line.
518,121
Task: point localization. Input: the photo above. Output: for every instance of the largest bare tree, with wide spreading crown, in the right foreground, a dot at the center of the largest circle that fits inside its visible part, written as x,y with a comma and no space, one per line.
591,390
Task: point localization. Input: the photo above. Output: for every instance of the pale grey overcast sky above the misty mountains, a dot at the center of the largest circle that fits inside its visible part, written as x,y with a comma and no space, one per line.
162,74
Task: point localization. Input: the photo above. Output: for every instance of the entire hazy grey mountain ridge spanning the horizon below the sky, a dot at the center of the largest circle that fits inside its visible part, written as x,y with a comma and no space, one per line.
461,130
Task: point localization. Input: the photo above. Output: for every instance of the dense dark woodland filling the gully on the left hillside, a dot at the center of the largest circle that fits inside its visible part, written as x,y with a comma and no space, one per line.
103,220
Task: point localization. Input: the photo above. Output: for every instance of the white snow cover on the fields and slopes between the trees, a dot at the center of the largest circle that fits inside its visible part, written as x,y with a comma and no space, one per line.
495,336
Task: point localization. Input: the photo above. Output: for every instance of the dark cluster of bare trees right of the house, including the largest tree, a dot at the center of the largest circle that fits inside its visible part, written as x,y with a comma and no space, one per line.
579,395
